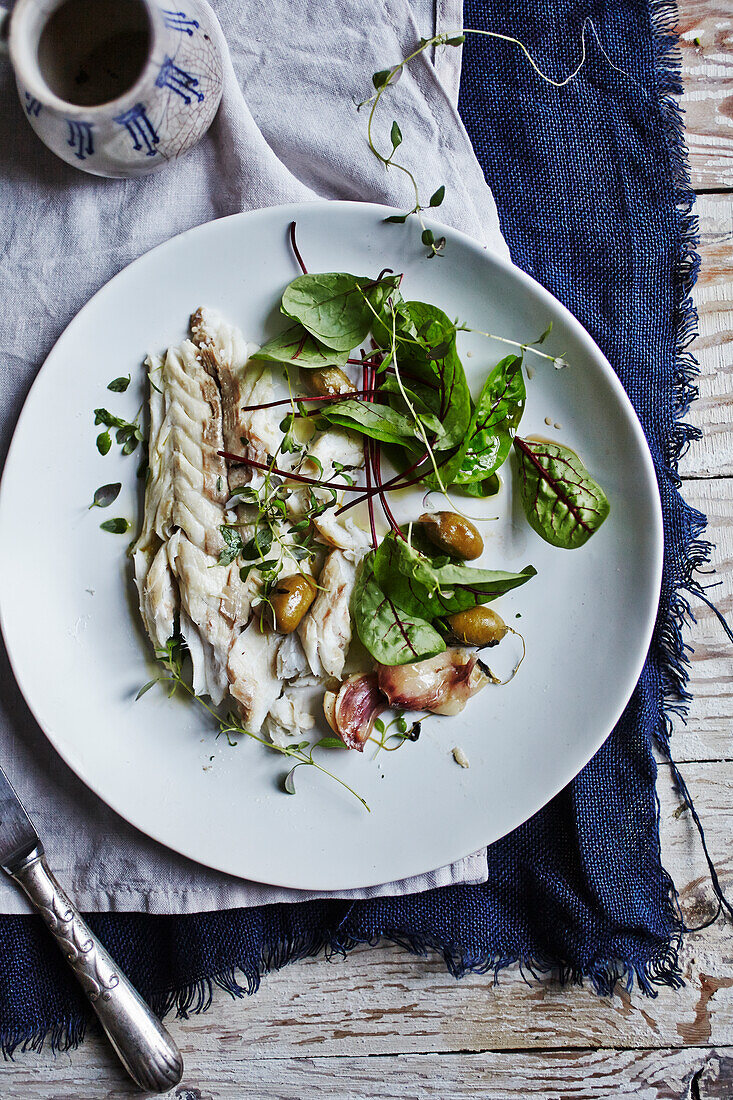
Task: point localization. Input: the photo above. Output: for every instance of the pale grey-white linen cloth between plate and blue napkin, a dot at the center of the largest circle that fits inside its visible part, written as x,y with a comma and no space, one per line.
287,131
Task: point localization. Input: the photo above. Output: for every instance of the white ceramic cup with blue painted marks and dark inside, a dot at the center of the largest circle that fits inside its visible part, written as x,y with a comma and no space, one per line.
117,87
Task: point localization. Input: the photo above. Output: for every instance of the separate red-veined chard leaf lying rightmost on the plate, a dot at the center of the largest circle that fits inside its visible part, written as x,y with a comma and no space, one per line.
561,499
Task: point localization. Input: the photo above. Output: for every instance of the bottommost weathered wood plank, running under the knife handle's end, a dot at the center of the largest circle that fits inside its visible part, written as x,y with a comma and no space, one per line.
704,1074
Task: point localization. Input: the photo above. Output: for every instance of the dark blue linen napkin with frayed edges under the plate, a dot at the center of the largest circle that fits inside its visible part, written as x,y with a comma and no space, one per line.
593,192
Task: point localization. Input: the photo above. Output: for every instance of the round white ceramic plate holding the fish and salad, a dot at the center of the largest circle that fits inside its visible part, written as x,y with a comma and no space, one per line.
68,602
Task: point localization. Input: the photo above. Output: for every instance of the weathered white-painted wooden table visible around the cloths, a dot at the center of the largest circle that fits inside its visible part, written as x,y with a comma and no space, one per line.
384,1025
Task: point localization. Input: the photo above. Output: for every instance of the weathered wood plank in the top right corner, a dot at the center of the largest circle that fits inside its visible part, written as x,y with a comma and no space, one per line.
706,28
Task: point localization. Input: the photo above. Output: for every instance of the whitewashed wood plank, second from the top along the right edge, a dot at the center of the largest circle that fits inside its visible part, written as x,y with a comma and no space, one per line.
713,457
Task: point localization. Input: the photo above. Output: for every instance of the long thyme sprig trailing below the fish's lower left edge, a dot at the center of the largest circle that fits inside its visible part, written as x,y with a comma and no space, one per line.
172,659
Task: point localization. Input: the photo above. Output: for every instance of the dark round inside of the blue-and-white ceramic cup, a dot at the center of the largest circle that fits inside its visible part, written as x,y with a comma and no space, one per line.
92,52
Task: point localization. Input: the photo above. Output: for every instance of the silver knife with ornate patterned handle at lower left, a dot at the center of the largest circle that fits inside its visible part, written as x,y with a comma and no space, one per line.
143,1043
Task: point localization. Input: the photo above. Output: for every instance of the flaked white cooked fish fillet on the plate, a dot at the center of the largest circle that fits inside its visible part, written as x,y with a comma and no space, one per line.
200,405
